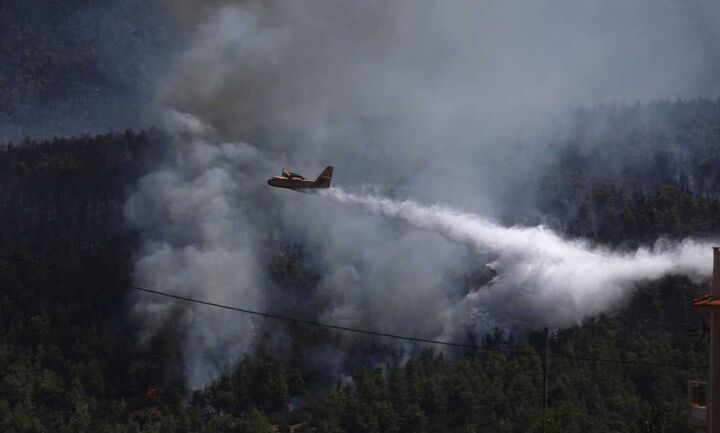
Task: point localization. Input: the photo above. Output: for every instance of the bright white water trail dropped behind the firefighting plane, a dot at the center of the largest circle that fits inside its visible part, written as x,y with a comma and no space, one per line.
542,278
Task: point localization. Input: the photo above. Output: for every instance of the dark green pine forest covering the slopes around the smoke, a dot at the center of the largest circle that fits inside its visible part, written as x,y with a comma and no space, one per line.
72,358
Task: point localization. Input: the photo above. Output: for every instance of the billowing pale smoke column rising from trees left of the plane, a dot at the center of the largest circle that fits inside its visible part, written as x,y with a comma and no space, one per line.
200,241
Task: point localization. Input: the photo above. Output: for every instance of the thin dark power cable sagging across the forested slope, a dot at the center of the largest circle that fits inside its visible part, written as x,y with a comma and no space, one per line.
295,320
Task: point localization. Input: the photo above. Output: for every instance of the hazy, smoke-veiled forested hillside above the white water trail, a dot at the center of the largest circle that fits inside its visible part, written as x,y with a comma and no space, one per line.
639,148
